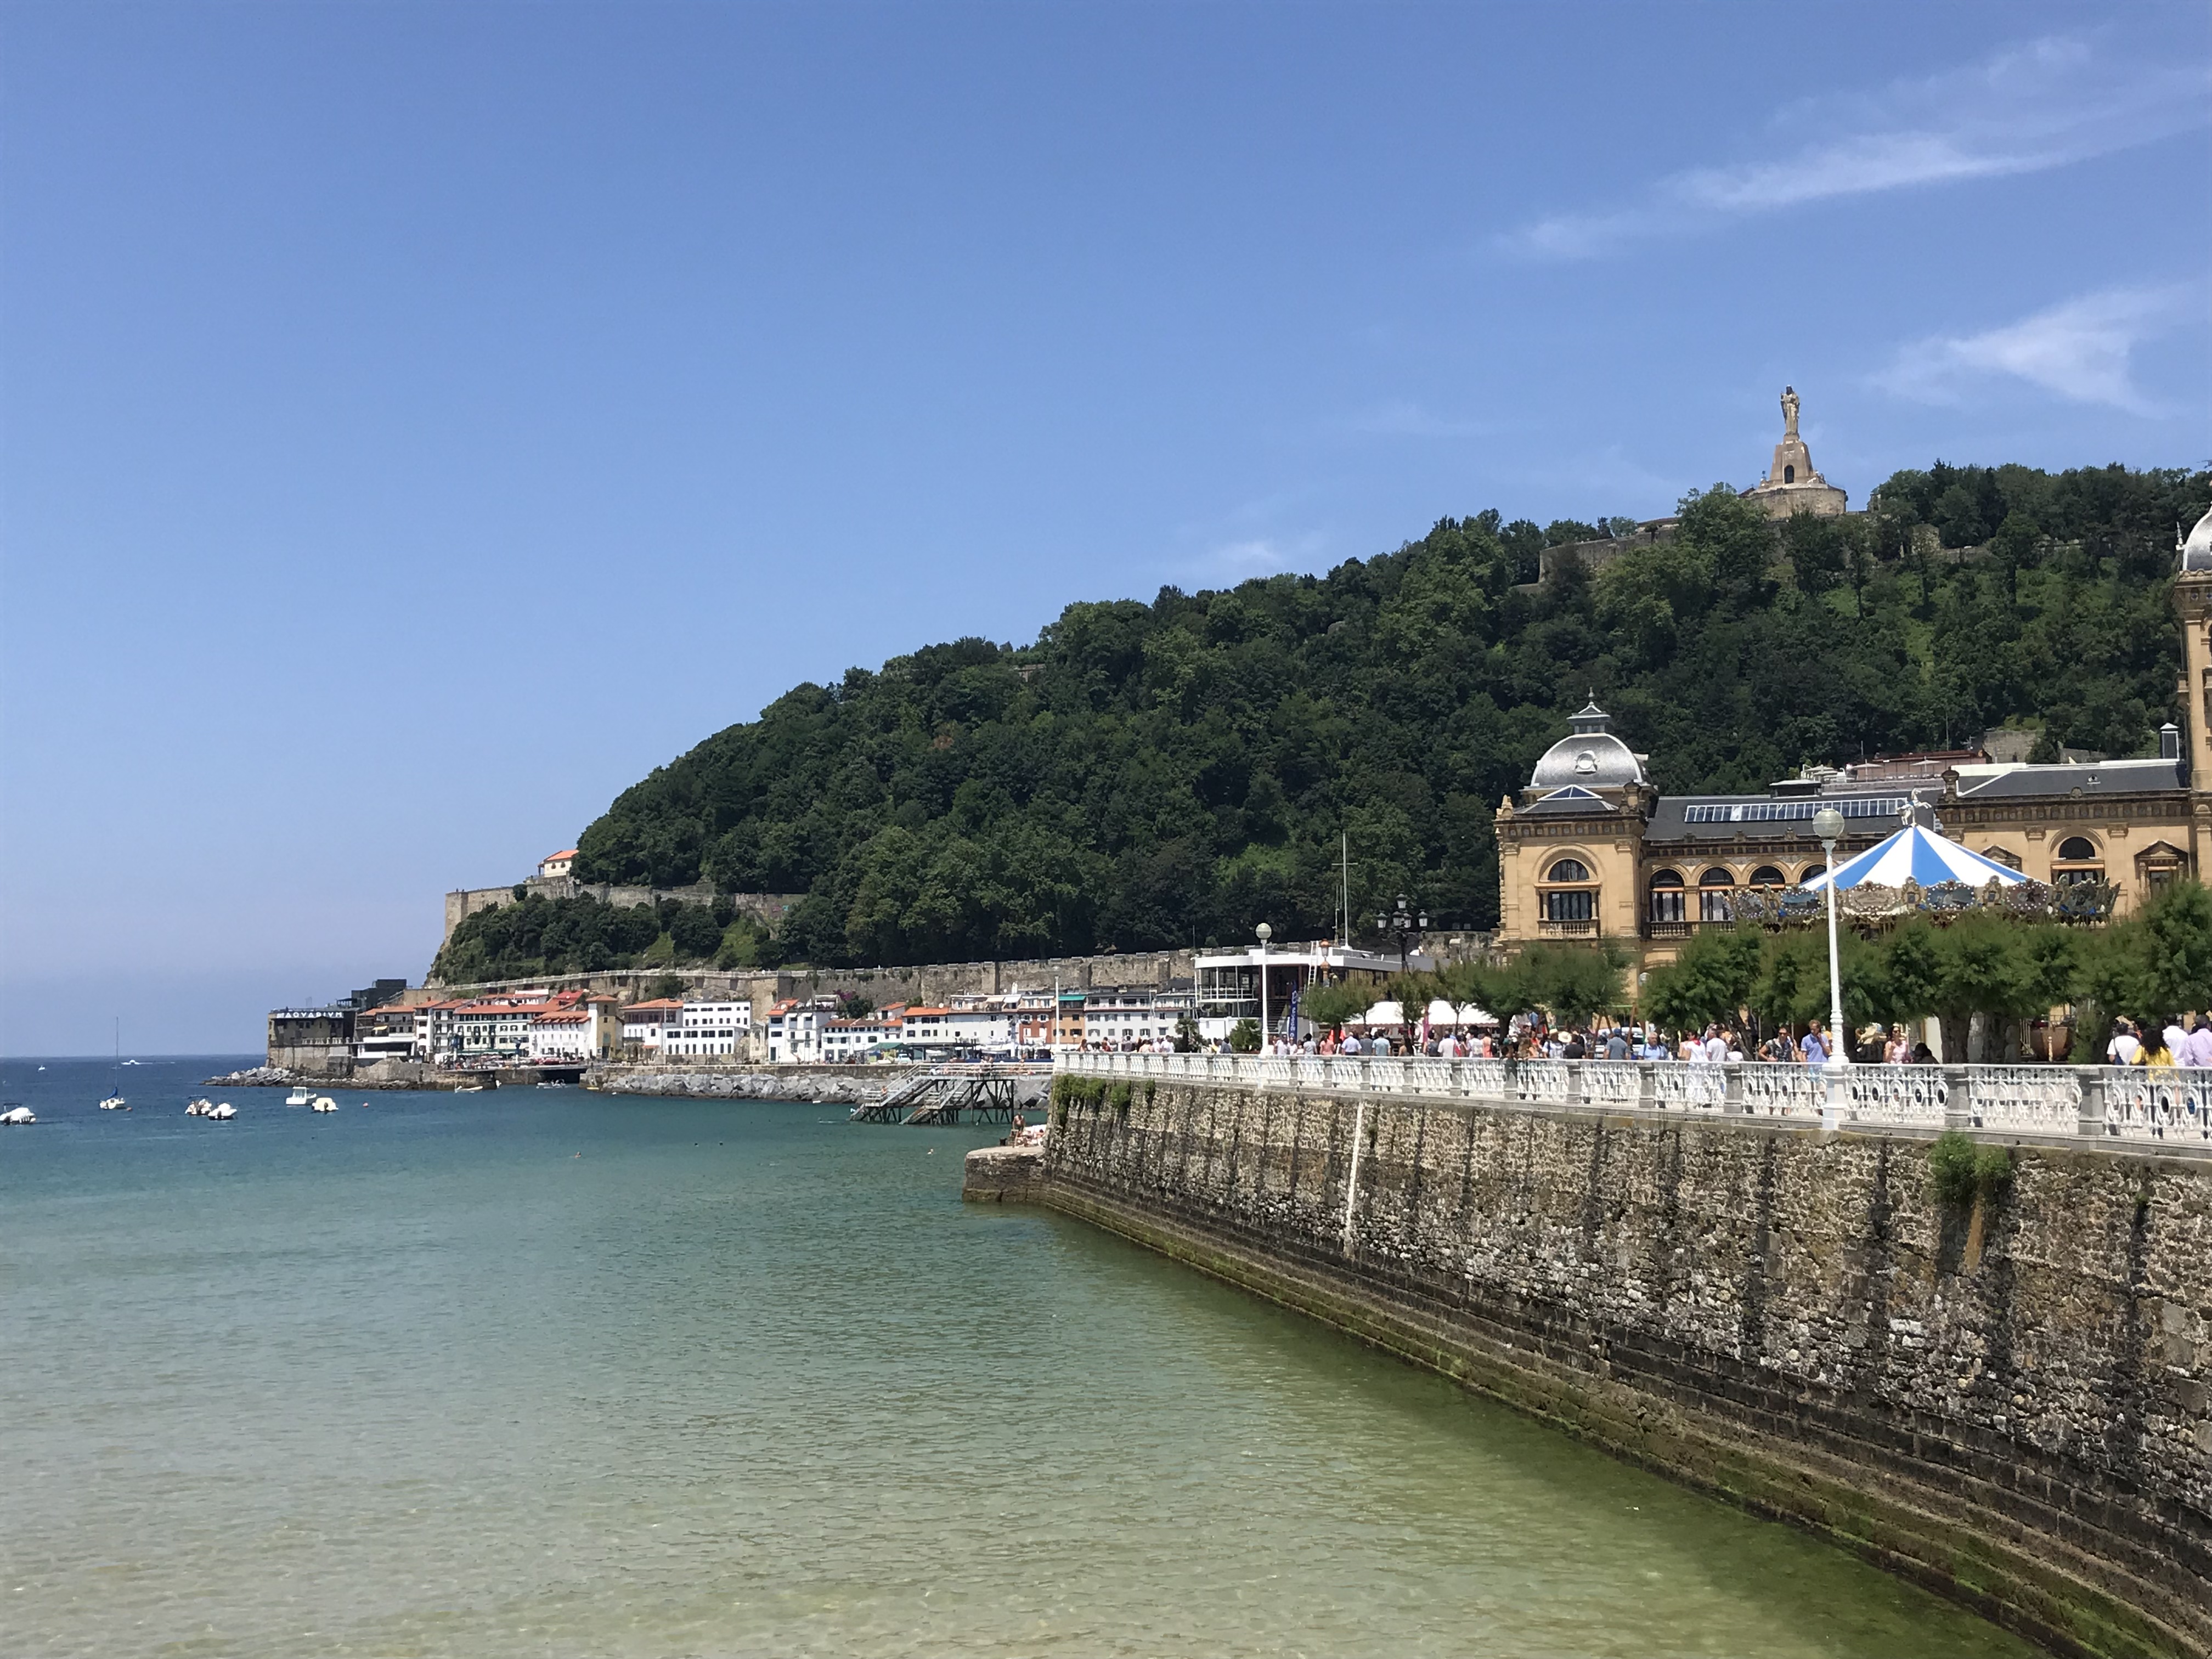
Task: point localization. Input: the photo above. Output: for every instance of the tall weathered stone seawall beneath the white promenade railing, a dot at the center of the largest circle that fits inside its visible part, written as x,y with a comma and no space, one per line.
2012,1412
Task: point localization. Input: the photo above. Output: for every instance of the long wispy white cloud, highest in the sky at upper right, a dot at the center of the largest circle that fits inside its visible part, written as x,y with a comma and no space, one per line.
2027,109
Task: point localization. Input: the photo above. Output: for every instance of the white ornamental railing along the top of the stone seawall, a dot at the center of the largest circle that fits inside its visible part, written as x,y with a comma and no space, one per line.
2160,1105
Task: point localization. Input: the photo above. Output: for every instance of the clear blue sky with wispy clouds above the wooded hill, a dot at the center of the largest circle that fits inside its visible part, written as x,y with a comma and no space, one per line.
419,421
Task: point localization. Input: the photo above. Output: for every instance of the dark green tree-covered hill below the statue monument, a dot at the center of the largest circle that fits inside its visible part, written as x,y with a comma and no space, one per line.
1167,773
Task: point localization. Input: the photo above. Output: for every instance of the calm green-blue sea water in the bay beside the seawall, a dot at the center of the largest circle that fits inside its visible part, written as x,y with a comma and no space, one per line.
559,1375
